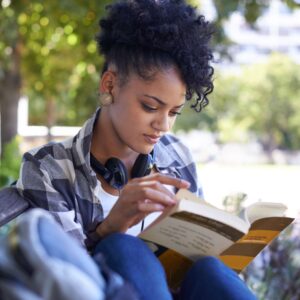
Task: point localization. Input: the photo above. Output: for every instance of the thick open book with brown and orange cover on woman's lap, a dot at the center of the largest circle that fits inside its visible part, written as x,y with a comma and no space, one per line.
194,228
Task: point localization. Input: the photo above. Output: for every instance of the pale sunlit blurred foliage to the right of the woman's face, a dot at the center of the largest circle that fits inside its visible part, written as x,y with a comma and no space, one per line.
261,99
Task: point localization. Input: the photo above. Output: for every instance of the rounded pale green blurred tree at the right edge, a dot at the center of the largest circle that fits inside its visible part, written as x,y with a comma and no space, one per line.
269,102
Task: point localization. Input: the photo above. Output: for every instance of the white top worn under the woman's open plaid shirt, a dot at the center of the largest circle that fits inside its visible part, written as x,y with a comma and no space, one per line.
108,201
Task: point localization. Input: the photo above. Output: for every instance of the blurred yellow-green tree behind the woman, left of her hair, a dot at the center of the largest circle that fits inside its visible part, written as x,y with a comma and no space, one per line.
47,51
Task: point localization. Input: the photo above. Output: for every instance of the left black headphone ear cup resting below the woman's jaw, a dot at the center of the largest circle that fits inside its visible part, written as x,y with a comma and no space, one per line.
118,172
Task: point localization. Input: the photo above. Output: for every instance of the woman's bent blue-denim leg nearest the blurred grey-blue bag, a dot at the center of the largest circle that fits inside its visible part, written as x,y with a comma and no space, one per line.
135,262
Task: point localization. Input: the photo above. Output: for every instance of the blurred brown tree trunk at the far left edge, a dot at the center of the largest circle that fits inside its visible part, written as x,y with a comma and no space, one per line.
10,87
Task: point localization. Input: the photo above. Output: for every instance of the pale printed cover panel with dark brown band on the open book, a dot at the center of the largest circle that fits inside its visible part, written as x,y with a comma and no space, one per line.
192,235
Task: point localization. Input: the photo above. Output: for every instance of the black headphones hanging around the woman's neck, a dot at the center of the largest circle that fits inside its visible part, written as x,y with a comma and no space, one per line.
114,171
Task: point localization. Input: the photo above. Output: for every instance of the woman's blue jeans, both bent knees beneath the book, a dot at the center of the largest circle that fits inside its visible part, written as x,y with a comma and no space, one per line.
208,278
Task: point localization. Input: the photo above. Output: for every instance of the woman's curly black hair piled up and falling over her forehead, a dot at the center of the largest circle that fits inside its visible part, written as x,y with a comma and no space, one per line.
146,35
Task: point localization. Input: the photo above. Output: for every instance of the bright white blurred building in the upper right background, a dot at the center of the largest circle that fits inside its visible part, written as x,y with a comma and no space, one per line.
277,29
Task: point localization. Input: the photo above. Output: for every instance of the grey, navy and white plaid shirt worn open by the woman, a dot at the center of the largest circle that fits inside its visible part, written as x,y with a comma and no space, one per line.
58,177
